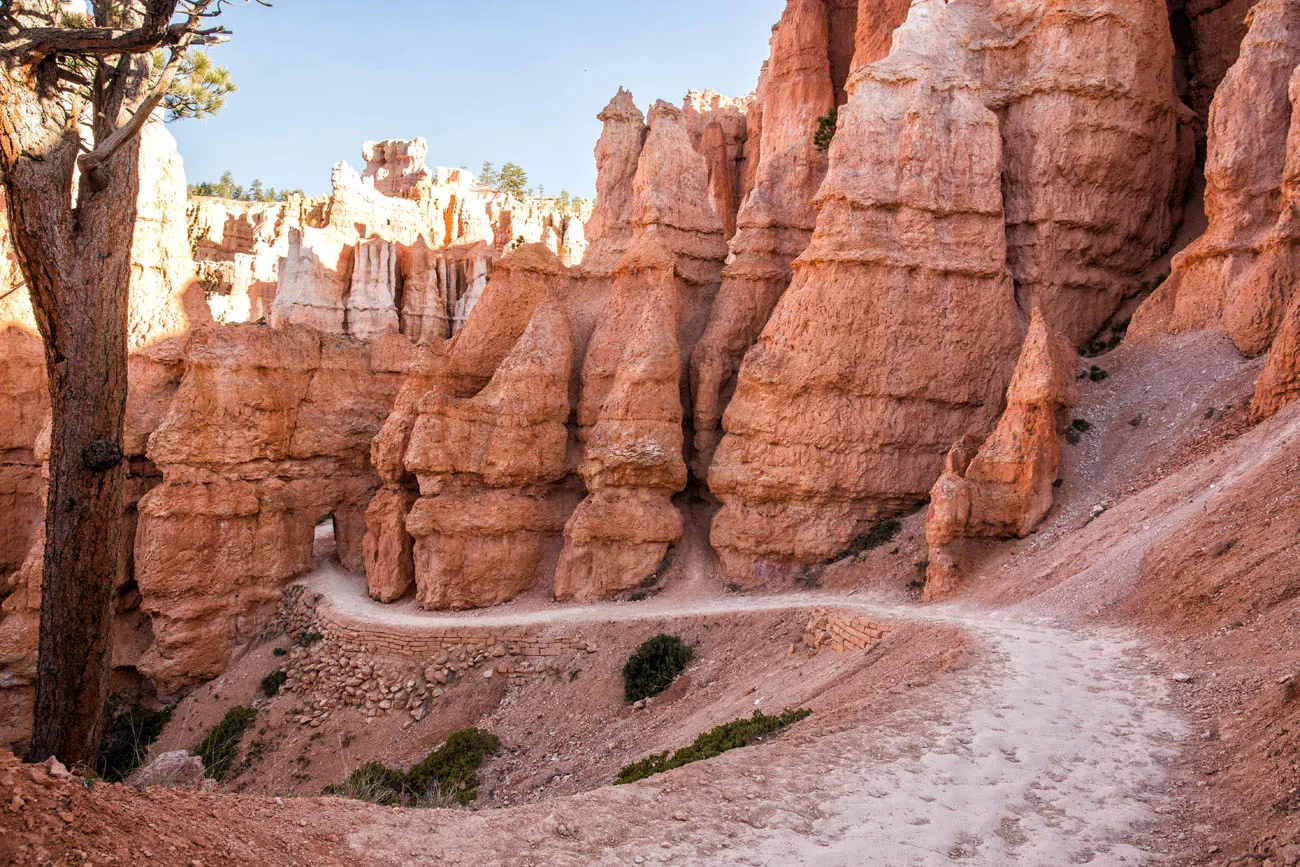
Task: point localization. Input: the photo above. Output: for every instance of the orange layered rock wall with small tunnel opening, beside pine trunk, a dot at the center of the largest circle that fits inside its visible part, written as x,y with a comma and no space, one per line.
267,437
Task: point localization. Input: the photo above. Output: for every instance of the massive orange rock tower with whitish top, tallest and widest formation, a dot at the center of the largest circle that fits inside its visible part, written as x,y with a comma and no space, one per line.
868,370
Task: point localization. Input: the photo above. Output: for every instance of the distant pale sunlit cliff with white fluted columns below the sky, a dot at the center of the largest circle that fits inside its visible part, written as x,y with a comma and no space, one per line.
397,248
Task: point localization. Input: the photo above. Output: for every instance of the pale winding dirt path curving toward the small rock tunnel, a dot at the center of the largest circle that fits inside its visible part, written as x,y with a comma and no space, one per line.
1048,753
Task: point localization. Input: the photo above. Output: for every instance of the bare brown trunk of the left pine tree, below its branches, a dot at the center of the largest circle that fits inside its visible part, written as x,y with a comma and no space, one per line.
80,293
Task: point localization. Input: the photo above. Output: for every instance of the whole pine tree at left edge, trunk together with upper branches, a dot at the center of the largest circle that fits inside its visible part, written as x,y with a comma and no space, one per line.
73,239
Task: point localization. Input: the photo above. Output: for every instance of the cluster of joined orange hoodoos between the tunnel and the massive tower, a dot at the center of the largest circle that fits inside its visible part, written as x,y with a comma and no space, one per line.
551,437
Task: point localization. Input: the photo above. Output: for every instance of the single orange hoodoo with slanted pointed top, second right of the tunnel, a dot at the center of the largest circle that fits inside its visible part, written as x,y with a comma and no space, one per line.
488,469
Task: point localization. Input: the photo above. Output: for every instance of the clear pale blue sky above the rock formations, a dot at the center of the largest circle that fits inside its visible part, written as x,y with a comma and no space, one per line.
482,80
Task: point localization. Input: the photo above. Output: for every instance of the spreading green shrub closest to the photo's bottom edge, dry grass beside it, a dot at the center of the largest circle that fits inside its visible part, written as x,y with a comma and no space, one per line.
447,777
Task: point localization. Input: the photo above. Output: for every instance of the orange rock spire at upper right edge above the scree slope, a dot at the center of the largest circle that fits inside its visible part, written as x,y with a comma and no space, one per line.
1237,278
